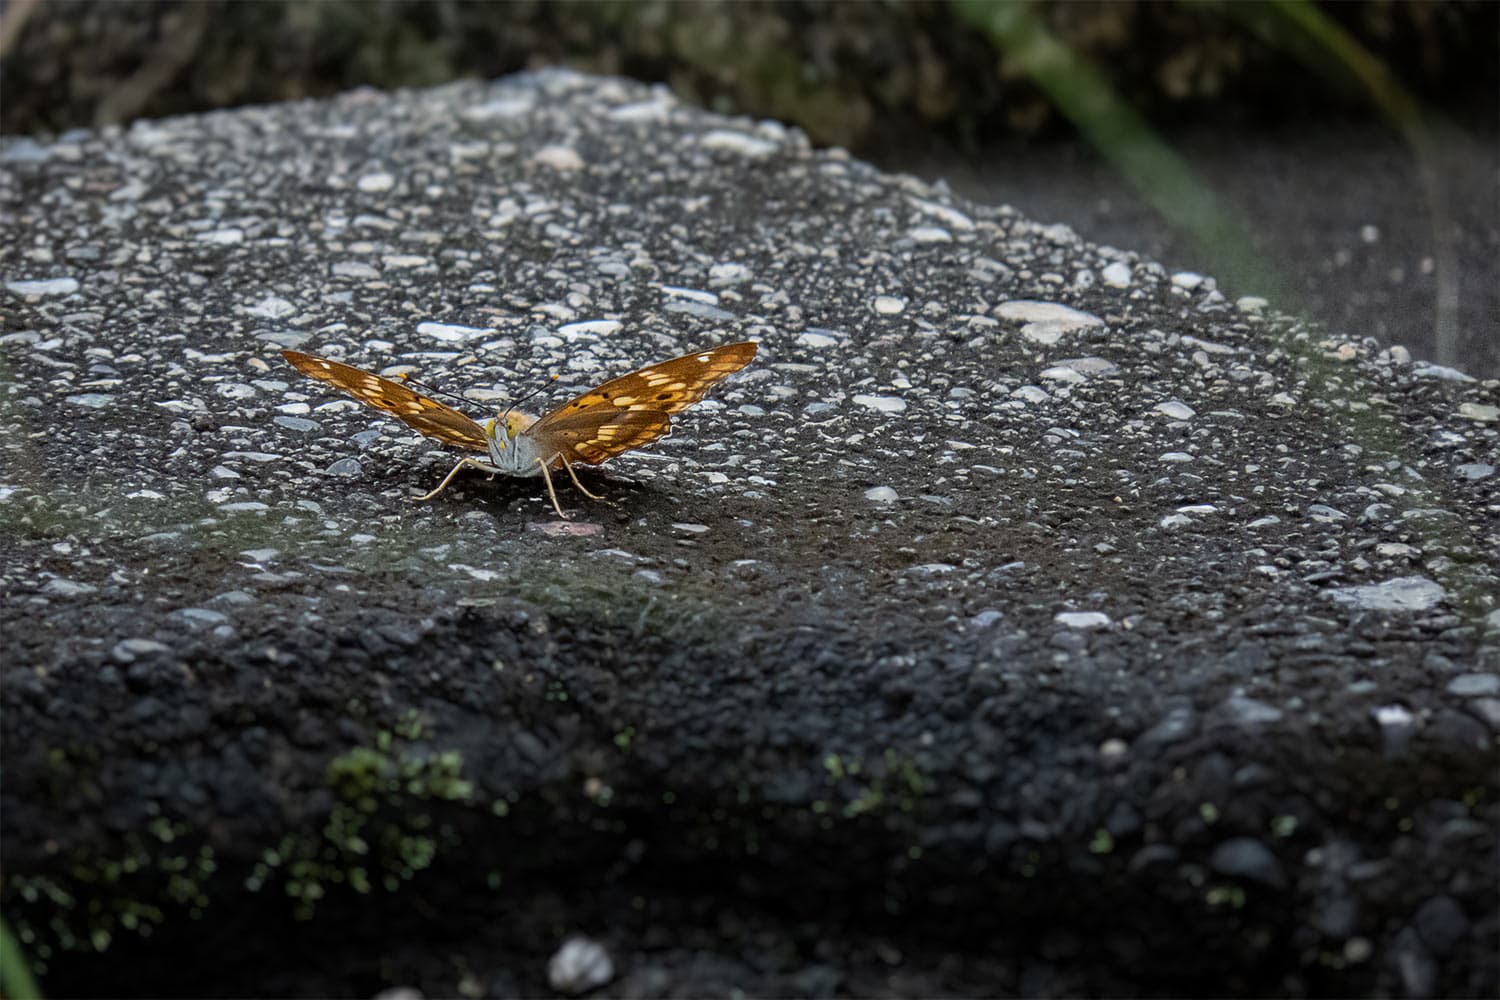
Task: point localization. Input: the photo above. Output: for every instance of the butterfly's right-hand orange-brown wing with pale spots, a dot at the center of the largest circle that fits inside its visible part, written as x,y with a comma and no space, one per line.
634,410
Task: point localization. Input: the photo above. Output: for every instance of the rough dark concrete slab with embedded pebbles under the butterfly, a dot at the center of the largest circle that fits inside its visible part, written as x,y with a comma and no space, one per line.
1027,620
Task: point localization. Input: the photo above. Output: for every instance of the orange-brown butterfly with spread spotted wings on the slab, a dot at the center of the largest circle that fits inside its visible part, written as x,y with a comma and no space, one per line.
622,415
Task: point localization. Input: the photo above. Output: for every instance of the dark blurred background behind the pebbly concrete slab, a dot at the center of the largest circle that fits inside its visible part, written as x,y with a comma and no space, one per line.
1354,145
